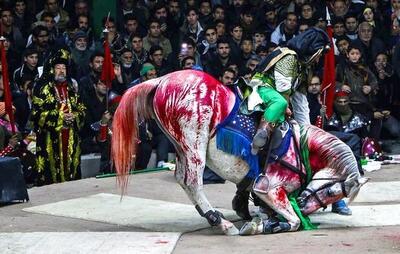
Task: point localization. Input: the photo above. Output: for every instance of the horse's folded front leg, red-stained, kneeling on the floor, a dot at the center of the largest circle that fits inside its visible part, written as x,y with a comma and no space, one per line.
277,199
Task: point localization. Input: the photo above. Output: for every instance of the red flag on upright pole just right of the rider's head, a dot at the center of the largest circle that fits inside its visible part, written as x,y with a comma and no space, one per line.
329,78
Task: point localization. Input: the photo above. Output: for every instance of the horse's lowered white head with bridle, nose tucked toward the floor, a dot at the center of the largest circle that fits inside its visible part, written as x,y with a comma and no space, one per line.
324,190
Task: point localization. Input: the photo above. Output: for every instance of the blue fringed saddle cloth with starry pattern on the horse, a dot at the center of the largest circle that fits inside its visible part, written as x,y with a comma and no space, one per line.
235,135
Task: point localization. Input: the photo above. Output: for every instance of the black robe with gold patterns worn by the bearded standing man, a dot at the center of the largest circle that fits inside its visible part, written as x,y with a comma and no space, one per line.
47,116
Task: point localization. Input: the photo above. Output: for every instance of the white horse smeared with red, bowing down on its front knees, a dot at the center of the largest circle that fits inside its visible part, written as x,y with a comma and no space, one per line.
190,106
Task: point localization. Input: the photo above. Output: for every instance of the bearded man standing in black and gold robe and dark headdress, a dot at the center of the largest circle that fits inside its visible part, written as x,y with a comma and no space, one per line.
58,116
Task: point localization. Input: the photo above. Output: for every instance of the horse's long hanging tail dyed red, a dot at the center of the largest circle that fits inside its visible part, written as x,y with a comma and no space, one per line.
133,108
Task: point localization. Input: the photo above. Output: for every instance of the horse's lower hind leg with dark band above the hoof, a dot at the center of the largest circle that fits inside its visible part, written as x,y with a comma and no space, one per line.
192,182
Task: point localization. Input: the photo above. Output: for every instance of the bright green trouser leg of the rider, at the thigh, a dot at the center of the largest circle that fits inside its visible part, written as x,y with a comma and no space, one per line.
275,104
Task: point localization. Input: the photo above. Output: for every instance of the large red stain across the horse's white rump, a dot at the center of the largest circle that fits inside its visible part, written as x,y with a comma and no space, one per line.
209,97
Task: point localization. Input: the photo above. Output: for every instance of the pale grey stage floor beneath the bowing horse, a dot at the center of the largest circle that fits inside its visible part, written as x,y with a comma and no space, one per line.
89,212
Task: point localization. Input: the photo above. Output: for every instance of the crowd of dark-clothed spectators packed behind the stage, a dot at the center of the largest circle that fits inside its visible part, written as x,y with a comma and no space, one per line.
225,38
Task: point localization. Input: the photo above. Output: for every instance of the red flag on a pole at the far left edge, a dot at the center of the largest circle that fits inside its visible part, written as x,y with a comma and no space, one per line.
6,85
